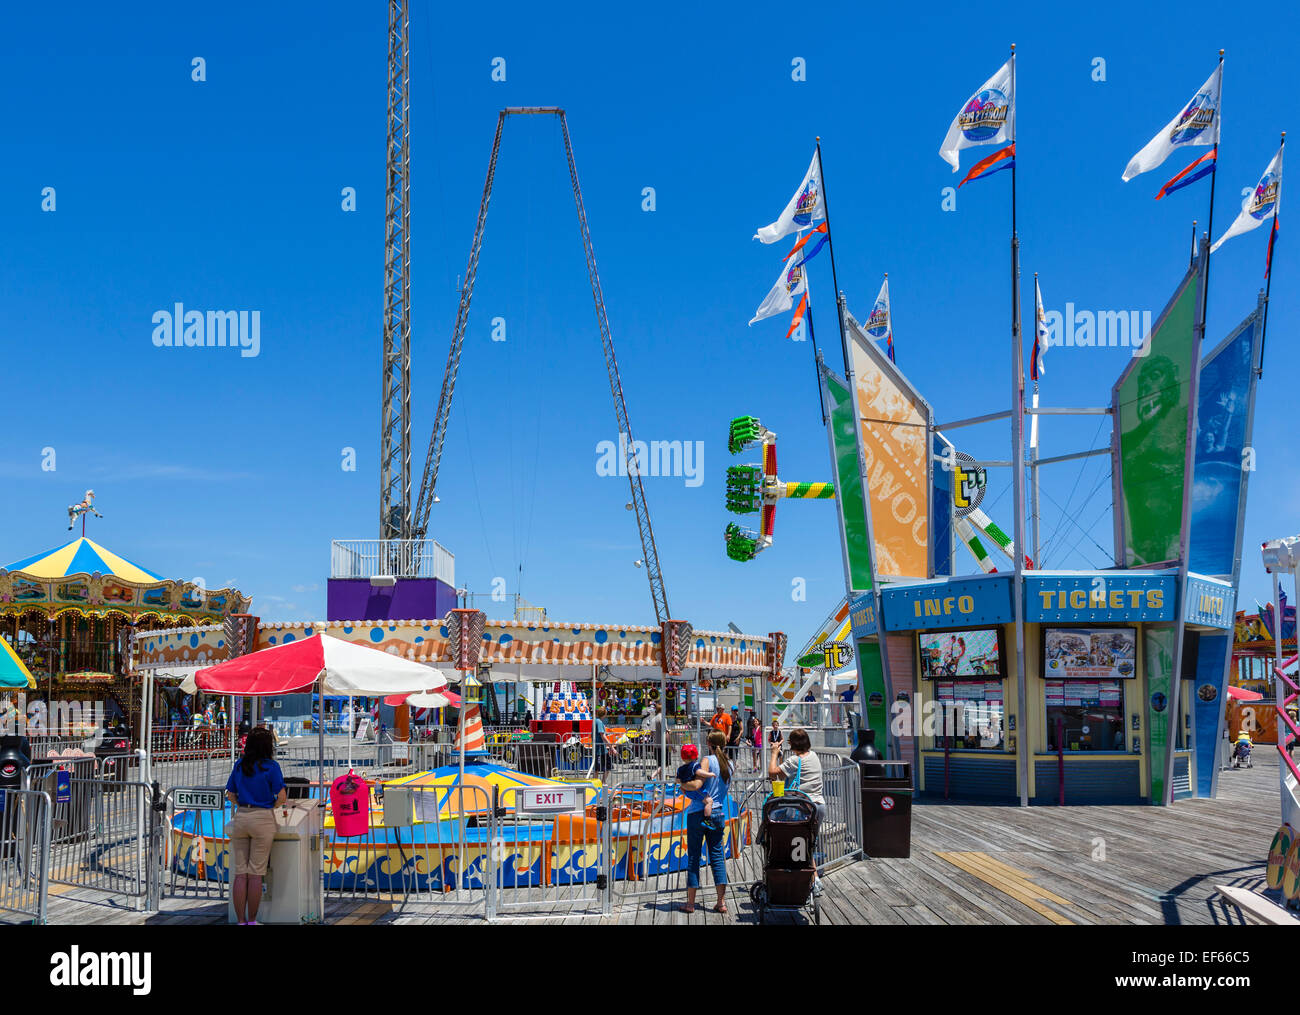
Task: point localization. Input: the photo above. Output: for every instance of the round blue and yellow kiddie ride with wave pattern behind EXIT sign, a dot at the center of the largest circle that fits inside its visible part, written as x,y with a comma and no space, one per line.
449,843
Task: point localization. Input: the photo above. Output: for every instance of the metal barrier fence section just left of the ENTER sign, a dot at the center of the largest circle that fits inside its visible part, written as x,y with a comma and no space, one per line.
101,838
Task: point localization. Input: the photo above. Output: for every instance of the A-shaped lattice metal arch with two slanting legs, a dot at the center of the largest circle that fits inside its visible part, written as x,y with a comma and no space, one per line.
651,553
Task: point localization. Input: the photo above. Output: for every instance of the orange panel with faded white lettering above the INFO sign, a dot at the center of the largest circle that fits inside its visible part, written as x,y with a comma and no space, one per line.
895,446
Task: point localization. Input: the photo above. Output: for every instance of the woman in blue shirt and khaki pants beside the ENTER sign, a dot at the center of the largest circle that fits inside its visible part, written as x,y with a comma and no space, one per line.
255,788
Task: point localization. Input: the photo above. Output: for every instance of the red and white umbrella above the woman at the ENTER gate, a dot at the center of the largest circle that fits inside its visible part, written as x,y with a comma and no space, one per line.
341,667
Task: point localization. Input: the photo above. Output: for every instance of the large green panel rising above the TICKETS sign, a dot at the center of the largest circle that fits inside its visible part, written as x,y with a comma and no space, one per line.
1151,404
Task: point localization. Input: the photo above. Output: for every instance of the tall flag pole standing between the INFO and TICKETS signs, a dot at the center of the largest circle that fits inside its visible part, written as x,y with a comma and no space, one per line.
1019,487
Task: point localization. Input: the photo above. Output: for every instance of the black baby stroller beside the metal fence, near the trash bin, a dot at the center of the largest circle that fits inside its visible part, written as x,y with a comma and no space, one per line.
788,836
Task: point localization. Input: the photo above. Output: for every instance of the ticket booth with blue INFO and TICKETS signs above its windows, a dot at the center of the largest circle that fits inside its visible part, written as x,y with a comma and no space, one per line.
1102,719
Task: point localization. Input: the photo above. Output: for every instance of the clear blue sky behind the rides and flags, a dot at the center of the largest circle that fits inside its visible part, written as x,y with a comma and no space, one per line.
227,196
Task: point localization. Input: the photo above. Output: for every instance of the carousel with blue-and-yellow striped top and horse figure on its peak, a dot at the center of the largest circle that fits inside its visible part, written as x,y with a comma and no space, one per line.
70,614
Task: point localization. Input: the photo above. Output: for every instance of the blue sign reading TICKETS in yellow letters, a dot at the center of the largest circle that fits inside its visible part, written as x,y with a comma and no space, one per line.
1103,598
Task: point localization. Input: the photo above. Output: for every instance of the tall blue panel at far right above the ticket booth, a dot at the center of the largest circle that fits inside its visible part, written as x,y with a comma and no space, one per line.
1223,427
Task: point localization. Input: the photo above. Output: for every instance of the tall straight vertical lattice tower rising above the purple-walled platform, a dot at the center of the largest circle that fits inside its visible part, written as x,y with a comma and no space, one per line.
396,397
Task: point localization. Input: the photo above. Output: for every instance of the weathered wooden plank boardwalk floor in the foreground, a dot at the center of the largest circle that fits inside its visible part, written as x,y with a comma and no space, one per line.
970,865
